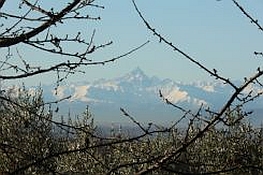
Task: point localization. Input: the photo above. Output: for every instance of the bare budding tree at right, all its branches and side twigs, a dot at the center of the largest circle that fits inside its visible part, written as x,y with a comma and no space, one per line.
234,102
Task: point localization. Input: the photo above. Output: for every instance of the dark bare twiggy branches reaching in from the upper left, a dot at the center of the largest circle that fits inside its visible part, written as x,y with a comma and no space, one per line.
36,26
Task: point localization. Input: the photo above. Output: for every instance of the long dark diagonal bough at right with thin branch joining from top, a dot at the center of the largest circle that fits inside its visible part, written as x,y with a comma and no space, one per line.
161,162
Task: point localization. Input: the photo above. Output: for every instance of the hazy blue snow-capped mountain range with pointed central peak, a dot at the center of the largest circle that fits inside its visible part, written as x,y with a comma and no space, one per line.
139,94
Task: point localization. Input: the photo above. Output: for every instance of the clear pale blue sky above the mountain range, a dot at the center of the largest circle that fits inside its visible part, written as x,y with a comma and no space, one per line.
214,32
